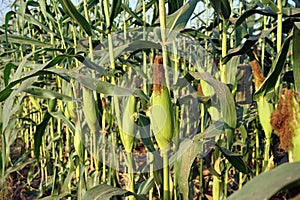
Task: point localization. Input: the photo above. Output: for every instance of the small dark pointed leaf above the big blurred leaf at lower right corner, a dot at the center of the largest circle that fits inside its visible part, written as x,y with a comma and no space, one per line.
235,159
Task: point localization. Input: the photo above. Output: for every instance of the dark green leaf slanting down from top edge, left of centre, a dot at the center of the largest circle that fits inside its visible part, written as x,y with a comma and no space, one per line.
70,9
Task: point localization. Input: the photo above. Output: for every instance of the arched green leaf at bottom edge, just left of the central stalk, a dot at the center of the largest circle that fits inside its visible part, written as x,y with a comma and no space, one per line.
105,192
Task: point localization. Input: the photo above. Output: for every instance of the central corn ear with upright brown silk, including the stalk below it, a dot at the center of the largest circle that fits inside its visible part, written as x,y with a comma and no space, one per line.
161,118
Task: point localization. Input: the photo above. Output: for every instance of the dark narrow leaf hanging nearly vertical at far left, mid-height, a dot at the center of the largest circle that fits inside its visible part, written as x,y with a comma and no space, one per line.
38,135
